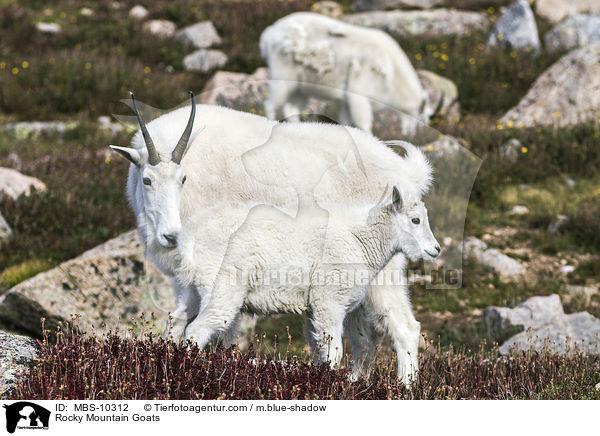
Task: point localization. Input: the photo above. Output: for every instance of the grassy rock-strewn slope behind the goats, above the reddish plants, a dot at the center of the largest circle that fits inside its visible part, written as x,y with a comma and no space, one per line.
513,84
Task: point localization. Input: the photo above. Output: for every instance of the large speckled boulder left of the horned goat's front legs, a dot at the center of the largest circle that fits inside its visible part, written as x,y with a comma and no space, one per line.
109,285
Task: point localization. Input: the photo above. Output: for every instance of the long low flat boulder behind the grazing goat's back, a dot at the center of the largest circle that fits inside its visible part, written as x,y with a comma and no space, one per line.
430,23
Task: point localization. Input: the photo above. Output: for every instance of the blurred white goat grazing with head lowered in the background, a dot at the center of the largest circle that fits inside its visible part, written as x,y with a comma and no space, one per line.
312,55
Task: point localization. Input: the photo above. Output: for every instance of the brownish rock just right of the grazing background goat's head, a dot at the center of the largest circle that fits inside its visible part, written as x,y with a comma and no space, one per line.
442,96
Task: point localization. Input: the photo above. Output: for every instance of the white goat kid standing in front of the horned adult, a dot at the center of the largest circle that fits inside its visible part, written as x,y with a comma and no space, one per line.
335,254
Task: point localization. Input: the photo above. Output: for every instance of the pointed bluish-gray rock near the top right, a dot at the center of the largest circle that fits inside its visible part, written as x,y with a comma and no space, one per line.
516,29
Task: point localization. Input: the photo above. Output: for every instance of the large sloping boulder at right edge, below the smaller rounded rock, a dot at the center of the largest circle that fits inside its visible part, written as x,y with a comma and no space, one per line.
565,94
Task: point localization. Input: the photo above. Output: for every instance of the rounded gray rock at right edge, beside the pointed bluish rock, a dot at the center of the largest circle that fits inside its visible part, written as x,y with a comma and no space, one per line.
576,31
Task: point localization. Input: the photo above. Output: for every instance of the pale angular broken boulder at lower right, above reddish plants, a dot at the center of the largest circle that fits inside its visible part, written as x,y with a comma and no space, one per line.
543,325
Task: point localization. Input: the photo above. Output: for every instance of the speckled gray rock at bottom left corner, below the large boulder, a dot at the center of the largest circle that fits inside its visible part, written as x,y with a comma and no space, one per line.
16,352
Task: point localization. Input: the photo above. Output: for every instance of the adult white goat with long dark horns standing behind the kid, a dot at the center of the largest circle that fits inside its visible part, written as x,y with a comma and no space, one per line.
243,158
